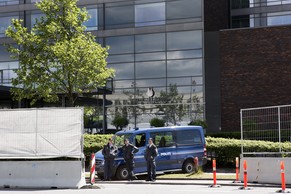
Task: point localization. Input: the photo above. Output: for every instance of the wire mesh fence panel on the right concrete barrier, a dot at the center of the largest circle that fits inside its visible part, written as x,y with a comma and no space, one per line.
270,124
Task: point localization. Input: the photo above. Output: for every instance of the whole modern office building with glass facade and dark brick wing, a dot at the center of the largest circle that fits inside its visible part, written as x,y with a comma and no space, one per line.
220,55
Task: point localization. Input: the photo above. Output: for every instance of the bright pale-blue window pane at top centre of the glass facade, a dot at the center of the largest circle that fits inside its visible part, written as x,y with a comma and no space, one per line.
150,14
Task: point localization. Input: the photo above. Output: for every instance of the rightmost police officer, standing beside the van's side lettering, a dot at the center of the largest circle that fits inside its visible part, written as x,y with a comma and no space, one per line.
150,155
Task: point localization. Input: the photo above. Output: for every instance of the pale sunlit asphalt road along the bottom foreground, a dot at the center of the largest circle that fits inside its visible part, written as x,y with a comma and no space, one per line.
125,188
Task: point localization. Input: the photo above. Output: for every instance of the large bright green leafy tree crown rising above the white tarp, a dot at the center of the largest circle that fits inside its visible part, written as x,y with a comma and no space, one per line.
57,57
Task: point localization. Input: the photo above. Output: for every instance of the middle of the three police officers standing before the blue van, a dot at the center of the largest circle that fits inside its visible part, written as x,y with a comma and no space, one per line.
128,154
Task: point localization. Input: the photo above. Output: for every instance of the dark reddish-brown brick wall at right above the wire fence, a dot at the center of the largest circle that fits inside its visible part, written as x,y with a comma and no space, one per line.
255,71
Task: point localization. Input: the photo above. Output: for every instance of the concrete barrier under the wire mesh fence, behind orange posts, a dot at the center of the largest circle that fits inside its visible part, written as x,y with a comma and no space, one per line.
265,170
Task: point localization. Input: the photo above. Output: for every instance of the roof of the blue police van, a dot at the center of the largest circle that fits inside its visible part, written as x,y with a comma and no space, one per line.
158,129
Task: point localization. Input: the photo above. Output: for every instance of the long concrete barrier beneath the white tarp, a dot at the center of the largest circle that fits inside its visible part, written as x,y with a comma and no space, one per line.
42,174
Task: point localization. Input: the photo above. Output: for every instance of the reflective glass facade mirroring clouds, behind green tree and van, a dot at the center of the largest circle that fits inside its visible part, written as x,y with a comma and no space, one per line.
149,50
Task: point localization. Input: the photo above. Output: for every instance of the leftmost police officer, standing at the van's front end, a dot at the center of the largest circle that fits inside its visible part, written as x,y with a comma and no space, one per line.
109,152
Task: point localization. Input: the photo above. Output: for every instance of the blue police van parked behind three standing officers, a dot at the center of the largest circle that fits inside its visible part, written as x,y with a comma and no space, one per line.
177,148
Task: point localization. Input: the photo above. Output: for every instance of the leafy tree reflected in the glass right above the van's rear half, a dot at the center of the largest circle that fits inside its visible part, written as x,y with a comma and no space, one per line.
171,104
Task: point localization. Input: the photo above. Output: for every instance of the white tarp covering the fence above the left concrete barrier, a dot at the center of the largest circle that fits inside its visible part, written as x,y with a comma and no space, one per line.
41,133
